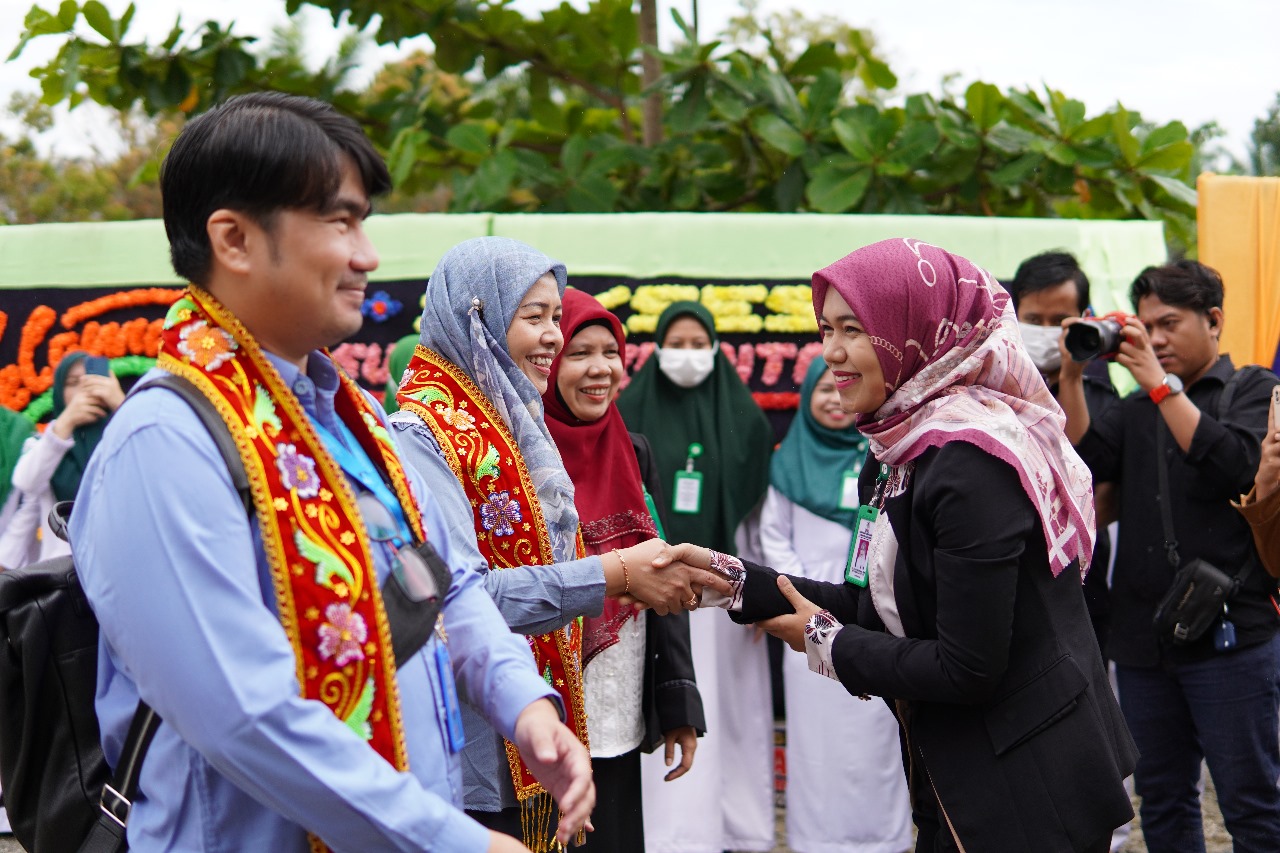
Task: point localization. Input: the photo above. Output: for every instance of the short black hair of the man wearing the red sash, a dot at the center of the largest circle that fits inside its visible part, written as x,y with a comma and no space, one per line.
258,154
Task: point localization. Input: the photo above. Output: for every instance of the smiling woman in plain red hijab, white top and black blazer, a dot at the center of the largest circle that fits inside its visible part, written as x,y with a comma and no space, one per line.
639,672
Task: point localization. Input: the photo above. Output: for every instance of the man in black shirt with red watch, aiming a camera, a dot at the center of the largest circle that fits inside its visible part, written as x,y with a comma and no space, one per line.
1215,699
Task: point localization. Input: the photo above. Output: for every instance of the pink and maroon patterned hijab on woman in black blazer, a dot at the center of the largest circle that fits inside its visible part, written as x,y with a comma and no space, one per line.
956,370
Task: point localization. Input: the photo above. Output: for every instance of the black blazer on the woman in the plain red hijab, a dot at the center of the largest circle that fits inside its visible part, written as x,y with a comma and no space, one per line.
671,699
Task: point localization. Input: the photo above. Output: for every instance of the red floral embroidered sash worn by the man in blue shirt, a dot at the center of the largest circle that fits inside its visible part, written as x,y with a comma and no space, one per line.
316,541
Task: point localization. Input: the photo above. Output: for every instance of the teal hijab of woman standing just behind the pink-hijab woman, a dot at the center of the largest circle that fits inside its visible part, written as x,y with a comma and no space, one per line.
810,467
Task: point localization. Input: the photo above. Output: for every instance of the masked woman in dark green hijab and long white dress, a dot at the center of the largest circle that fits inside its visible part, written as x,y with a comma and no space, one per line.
711,445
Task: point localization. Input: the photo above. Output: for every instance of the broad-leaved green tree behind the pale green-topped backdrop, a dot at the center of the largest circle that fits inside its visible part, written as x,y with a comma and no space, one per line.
515,113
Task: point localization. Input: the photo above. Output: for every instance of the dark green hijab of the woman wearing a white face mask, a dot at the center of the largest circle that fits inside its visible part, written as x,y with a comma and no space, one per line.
719,414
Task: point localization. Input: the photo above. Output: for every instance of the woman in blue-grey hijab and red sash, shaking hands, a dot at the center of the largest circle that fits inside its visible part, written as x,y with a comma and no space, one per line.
470,423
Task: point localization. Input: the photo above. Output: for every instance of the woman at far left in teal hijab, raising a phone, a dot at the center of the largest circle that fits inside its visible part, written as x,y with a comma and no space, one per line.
85,395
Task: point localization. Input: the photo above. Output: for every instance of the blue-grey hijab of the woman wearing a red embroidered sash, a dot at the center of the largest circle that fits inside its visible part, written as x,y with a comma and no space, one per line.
472,299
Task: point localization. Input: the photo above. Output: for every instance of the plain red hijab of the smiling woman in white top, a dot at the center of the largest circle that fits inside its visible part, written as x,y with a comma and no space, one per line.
602,463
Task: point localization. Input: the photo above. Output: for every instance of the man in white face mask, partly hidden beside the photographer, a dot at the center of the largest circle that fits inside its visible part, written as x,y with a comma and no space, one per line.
1048,290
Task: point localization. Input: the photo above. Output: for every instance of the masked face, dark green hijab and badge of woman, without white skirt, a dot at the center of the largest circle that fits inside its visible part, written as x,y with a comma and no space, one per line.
689,396
